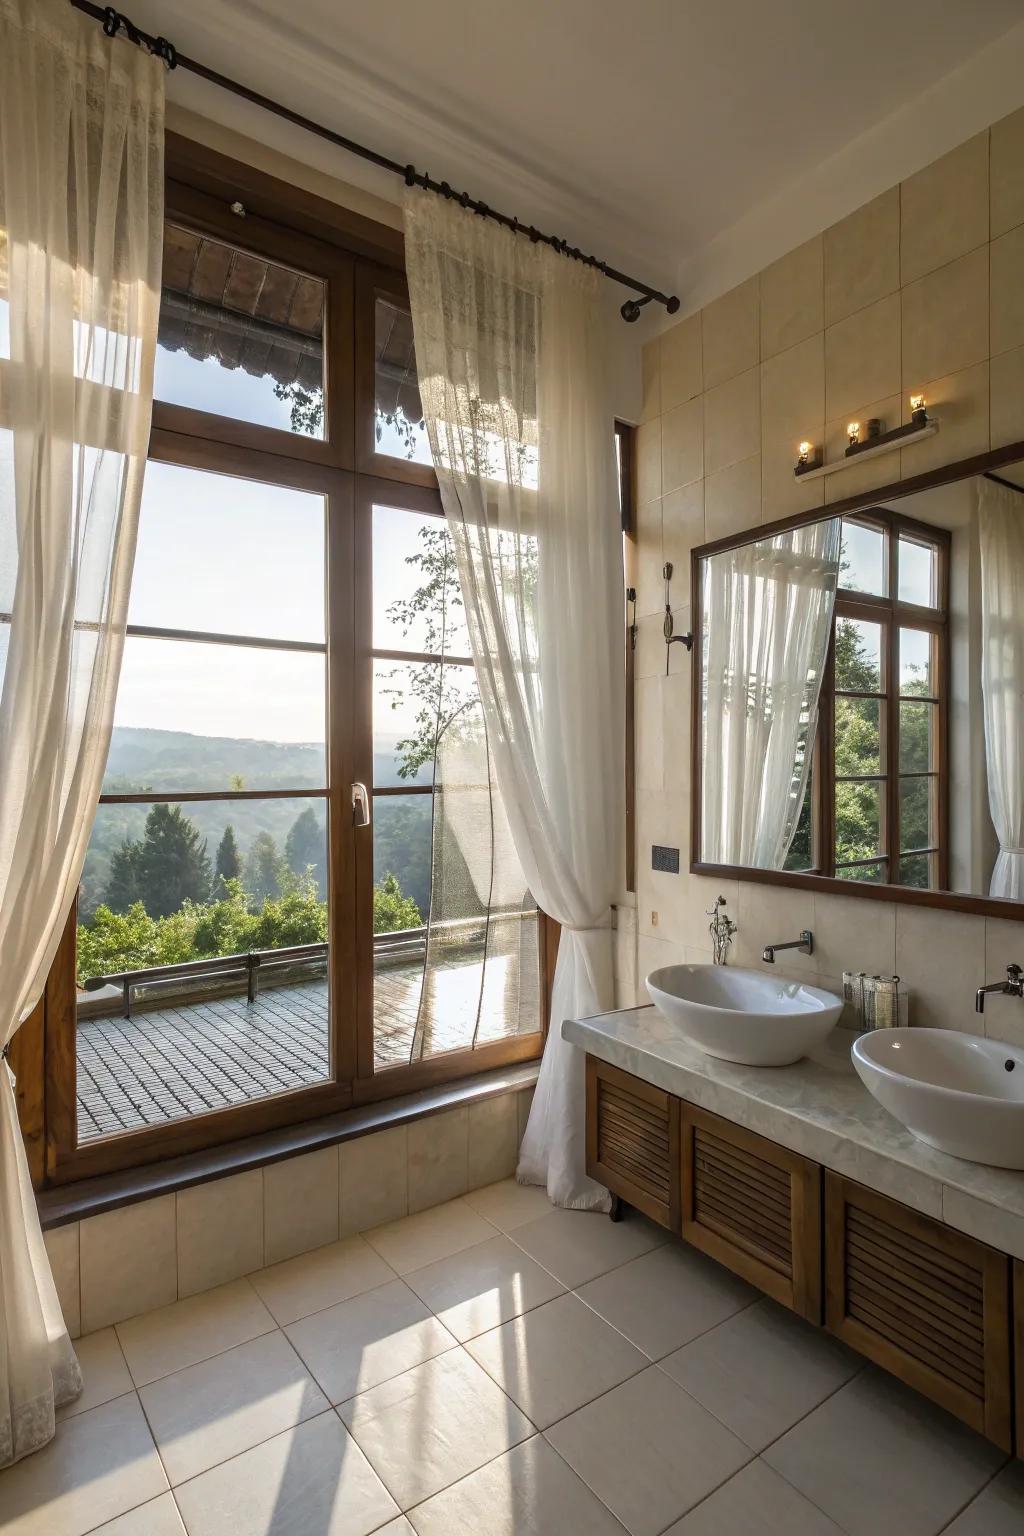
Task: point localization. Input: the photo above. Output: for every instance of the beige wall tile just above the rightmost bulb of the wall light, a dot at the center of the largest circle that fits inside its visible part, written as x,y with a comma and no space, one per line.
946,320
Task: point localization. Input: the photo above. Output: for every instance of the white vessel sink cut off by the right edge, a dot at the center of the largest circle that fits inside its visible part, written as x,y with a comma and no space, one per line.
954,1091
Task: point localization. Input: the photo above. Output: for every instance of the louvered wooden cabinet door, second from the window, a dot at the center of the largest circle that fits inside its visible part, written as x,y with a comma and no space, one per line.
756,1208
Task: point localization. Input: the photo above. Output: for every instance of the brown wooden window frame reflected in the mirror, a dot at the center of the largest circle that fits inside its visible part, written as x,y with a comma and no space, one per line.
891,615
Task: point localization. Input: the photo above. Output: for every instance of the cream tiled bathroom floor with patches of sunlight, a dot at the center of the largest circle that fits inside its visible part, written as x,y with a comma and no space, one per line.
495,1368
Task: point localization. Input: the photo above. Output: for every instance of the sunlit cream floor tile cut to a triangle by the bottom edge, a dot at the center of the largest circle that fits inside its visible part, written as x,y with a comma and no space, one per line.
529,1492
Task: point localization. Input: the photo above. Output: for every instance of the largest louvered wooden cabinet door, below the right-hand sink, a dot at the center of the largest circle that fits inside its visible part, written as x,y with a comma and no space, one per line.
927,1303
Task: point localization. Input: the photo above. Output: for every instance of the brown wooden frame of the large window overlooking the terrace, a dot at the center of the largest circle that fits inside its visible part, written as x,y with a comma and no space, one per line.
357,260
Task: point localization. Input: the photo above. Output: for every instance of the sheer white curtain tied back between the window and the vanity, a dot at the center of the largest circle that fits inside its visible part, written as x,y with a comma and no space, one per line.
510,351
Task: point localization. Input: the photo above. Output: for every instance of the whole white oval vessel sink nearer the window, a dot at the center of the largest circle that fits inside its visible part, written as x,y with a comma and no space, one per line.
744,1016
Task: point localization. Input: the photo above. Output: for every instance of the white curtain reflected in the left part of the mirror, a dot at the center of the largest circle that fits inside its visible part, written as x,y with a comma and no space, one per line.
767,620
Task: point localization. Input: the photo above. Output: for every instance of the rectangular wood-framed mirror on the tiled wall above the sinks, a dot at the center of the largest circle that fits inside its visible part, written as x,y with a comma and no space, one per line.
859,712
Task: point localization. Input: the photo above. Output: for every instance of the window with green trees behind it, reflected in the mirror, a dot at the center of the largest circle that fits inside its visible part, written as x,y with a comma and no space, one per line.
876,806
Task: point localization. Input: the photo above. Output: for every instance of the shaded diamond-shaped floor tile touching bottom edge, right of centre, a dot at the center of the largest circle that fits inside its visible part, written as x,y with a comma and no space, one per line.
649,1451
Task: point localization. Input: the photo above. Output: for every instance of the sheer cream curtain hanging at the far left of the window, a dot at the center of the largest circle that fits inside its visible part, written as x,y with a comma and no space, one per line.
81,242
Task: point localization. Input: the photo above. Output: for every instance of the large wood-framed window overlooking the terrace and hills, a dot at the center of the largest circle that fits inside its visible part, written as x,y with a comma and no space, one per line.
300,889
